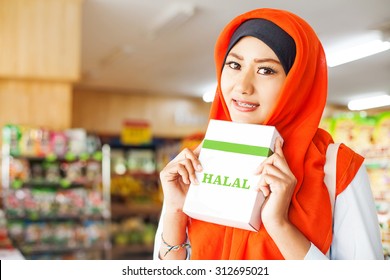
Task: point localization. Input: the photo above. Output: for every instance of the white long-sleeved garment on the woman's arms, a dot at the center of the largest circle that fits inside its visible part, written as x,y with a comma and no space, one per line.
356,232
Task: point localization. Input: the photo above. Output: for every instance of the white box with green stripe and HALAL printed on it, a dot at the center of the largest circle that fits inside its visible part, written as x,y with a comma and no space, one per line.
230,154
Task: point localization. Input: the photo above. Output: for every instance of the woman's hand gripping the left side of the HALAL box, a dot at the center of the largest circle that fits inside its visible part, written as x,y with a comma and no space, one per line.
177,176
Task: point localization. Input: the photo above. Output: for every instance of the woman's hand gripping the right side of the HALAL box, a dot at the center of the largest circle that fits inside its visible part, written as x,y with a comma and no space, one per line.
277,184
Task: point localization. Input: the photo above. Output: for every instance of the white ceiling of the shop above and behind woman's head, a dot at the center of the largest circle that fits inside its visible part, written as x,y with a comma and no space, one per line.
122,51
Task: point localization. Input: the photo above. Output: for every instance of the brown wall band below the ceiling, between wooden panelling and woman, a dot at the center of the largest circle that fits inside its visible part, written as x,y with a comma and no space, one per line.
105,111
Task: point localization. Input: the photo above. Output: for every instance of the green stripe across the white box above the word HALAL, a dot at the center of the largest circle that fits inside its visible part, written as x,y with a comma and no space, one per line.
237,148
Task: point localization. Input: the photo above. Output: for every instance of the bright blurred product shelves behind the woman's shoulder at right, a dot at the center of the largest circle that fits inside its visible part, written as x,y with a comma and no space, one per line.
369,136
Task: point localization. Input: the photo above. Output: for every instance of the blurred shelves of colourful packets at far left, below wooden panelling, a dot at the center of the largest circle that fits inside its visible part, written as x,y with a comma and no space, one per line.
53,193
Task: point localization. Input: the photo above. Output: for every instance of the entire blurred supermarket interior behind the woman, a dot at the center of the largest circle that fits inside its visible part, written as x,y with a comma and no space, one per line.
96,96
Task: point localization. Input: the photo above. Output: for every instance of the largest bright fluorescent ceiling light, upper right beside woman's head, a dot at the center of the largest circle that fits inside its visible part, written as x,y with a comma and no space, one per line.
357,52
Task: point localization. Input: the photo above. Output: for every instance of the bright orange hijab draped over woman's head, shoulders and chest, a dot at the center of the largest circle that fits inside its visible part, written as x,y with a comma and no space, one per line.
296,115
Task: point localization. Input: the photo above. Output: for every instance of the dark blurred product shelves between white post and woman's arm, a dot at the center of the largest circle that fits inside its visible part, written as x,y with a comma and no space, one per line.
136,198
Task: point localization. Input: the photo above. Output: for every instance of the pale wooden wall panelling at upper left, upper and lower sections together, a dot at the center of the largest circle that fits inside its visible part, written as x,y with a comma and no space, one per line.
39,61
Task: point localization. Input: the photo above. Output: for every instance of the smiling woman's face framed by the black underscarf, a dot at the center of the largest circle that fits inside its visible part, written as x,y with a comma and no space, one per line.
251,80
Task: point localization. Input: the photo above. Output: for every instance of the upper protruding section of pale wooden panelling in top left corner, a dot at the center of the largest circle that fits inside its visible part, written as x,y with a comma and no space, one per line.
40,39
